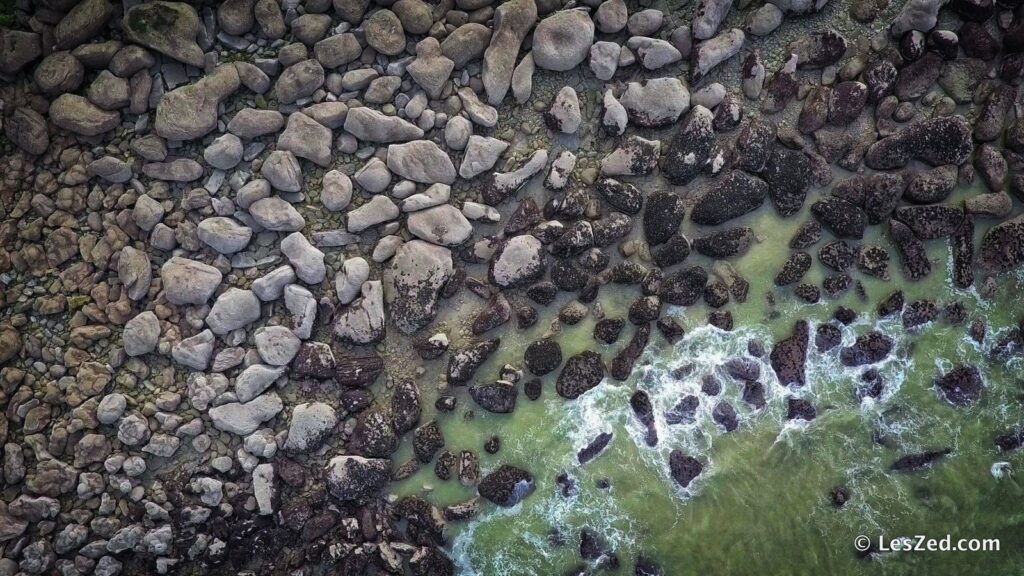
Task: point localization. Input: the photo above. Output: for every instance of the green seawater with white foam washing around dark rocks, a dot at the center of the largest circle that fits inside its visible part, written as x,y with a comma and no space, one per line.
762,505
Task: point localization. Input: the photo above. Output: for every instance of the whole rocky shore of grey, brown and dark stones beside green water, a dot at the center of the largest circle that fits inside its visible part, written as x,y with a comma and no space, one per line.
208,209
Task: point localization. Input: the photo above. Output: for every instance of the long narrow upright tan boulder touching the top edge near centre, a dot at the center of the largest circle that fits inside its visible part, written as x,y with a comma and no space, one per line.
513,22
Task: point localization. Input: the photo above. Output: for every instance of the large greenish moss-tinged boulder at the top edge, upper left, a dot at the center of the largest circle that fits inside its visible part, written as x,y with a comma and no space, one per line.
169,28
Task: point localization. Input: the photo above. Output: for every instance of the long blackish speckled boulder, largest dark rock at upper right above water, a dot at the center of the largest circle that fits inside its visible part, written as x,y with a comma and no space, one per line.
937,142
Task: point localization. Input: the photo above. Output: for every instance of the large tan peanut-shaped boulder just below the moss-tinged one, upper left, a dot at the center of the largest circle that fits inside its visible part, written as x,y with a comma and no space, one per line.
191,112
